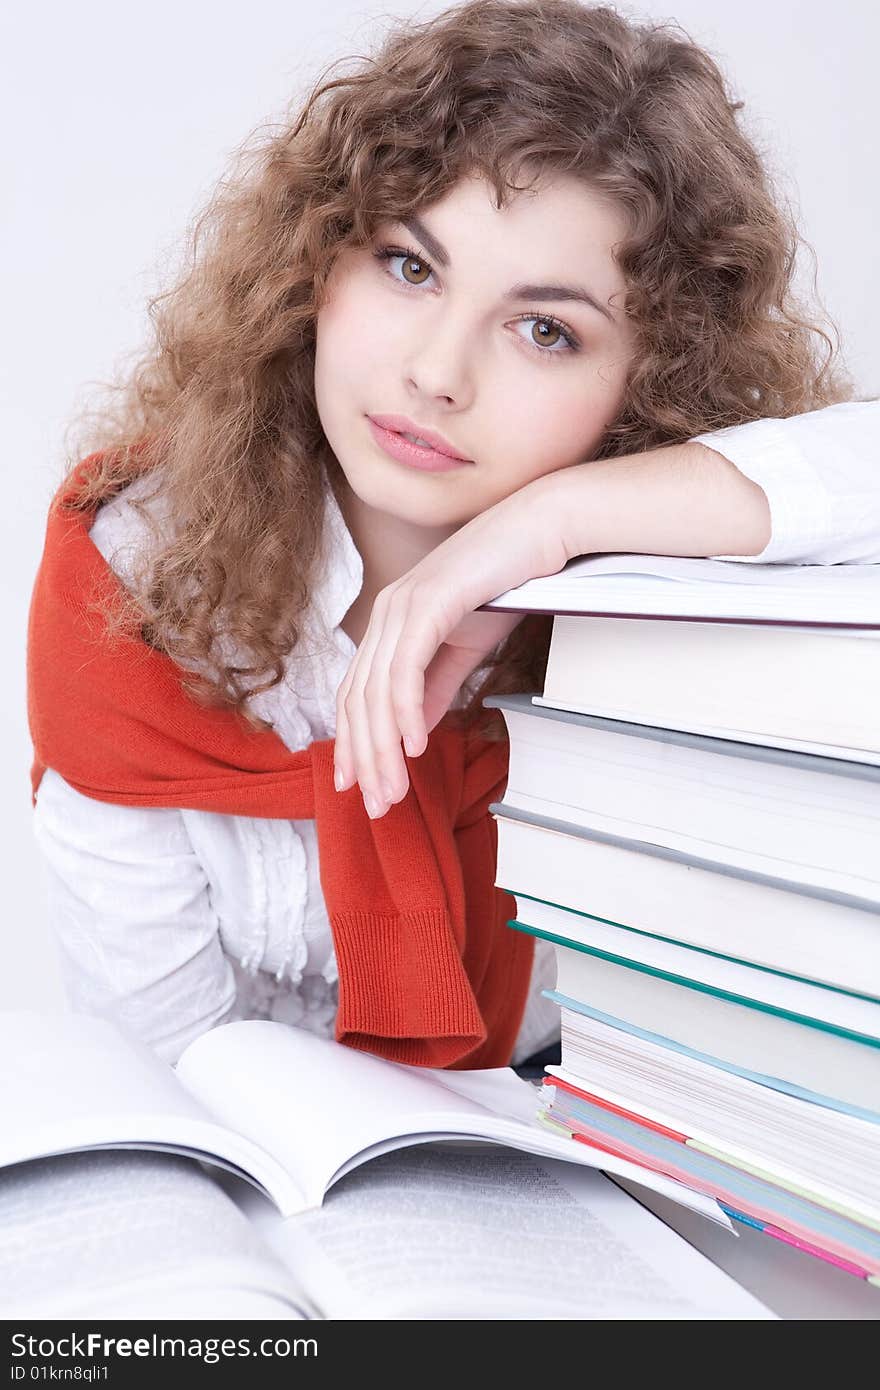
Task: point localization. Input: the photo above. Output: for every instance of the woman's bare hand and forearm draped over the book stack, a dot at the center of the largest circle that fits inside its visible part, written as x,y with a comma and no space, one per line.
425,637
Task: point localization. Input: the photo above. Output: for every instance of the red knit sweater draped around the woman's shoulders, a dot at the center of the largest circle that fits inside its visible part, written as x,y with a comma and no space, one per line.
429,972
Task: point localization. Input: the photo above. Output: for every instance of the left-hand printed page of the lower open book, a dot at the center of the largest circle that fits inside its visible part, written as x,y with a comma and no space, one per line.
133,1236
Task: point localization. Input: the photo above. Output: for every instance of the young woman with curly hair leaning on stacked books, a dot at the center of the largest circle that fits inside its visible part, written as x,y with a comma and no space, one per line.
533,237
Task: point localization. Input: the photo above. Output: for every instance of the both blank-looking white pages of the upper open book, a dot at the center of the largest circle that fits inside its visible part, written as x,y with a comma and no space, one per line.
279,1106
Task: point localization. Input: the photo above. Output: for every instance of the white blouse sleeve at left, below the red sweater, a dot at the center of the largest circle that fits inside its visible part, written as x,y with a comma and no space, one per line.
131,918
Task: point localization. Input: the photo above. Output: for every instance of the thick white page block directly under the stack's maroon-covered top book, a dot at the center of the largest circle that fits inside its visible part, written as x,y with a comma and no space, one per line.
804,689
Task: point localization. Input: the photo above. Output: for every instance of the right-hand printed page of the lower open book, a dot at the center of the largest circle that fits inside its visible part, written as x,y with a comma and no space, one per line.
444,1232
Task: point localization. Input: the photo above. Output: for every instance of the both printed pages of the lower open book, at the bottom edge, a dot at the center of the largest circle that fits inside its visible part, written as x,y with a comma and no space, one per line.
425,1235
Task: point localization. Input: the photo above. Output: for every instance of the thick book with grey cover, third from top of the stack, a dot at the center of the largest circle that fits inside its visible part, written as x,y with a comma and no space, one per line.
792,817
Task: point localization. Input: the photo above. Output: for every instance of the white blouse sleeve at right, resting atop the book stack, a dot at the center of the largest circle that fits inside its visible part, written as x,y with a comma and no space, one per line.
821,475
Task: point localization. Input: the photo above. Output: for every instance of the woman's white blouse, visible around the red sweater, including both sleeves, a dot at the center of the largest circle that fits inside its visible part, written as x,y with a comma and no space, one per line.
170,921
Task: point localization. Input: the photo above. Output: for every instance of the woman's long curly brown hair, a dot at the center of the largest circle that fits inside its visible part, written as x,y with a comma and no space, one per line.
223,408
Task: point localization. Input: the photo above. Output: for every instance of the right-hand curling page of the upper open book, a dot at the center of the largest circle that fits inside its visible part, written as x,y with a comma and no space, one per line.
322,1109
